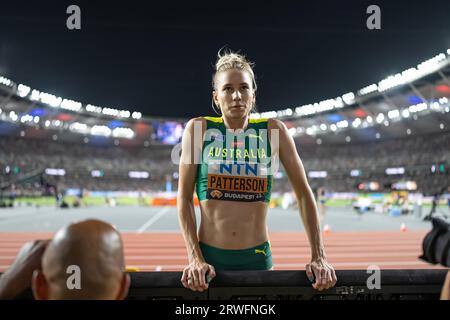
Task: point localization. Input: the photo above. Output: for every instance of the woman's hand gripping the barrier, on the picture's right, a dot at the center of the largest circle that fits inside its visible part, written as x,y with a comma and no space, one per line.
323,272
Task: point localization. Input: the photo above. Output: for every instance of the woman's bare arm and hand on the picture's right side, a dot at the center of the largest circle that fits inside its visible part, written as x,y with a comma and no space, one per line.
286,151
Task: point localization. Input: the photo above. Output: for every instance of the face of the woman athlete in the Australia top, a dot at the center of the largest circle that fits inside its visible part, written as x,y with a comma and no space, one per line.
234,93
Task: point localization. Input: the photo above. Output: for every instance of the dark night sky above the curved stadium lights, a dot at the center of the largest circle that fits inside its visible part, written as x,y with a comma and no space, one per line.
158,59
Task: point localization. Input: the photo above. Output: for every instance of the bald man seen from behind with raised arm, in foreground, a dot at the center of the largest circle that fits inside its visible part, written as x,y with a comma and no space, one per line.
92,246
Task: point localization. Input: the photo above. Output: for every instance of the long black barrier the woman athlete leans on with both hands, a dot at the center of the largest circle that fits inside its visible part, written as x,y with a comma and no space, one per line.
289,285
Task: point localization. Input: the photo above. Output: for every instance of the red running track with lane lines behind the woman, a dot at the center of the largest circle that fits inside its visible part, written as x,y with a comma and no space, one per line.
345,250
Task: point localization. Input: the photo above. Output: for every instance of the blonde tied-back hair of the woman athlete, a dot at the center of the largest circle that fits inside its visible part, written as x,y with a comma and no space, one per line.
232,60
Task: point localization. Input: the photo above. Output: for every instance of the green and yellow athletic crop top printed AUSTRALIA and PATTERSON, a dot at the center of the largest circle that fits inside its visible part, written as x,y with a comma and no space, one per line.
235,167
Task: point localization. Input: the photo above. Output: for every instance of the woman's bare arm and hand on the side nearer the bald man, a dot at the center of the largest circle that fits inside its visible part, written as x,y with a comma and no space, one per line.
195,273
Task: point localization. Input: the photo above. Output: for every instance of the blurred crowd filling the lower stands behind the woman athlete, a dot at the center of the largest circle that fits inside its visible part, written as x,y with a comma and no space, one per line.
417,154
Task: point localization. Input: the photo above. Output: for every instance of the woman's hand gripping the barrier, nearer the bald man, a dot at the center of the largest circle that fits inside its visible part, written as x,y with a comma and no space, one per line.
195,274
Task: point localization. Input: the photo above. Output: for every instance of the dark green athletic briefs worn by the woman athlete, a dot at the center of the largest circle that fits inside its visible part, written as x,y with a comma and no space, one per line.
256,258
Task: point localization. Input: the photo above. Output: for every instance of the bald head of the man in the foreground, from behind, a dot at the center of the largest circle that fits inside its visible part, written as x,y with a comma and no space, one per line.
83,261
